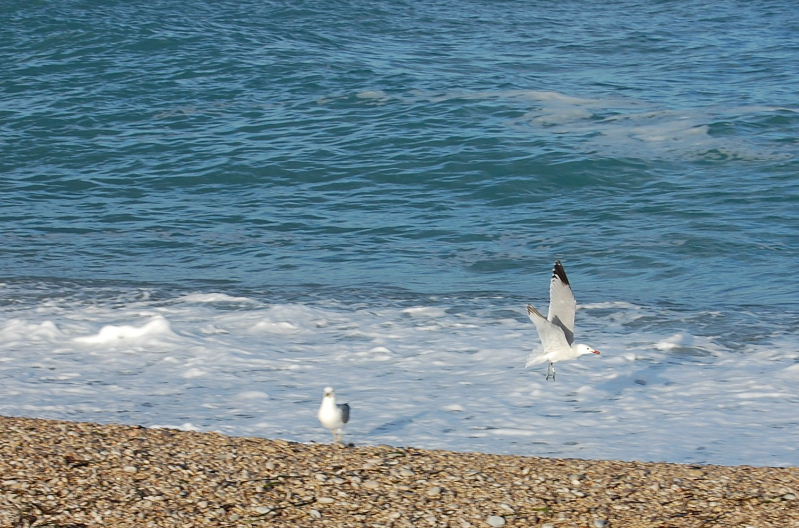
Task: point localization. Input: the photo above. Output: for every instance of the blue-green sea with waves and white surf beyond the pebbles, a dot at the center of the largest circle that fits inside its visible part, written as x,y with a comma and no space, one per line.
209,211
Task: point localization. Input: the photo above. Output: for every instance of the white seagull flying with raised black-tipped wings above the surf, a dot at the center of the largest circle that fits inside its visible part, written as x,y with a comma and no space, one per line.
557,329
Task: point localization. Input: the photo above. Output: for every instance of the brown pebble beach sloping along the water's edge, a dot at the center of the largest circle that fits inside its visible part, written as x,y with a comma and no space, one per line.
79,474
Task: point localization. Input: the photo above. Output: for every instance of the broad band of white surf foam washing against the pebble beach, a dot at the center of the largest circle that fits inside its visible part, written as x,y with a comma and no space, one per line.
424,375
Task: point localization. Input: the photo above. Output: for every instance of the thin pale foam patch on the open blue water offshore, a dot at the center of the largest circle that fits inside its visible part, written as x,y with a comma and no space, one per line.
623,127
